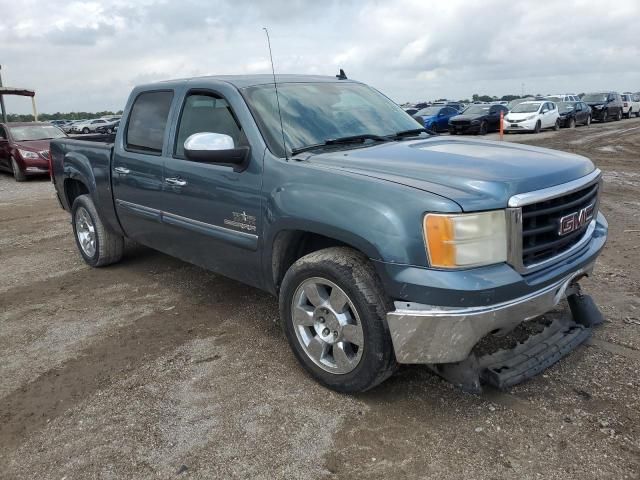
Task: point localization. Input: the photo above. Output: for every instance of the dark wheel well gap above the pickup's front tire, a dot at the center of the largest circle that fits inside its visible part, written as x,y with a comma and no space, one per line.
291,245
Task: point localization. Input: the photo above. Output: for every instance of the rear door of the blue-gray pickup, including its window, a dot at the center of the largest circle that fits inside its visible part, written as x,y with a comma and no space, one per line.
137,169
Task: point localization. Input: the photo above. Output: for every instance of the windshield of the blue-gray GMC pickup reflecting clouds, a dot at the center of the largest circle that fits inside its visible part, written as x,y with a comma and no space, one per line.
313,113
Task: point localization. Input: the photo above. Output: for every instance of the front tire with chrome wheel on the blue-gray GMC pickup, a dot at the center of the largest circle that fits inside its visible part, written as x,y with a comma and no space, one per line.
333,312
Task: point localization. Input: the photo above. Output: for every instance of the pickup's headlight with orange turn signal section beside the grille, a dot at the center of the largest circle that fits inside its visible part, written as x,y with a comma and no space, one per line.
466,240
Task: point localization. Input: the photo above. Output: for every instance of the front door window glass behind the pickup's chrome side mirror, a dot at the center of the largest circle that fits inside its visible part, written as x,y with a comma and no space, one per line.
211,114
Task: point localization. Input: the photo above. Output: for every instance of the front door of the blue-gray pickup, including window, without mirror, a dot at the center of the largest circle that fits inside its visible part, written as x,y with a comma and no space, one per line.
212,211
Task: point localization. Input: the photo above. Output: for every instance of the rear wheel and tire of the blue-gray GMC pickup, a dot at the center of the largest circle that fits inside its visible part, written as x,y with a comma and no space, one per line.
97,245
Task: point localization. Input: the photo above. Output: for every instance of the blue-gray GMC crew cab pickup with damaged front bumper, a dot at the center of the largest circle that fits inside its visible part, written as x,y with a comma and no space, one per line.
385,244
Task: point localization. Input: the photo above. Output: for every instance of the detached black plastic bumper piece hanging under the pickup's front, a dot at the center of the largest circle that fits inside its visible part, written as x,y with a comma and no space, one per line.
506,368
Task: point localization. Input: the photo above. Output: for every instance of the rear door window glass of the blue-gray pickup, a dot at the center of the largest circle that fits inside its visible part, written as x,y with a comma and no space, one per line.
148,121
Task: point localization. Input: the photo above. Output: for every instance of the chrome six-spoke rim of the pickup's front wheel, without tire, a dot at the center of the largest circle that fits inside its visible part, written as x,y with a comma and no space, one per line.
327,325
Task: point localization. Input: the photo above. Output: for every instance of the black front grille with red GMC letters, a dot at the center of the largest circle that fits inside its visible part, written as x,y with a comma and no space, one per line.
541,224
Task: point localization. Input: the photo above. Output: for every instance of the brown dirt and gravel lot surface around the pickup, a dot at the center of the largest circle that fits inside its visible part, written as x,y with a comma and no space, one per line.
154,368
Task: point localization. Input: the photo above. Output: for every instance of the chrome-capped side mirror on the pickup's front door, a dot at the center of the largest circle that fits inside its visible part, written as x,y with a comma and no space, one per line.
209,147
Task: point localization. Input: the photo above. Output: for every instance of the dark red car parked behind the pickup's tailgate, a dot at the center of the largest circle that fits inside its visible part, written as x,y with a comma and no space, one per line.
24,148
